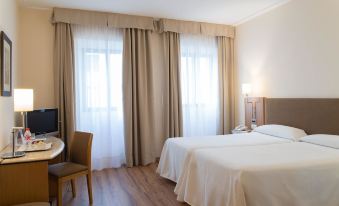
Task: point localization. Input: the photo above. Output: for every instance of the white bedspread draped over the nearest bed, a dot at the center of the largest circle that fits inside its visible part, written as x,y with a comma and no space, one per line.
296,174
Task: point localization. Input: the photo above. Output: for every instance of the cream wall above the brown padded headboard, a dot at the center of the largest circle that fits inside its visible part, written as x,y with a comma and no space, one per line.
291,51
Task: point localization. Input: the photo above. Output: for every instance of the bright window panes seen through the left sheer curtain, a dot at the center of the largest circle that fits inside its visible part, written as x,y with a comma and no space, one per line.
102,78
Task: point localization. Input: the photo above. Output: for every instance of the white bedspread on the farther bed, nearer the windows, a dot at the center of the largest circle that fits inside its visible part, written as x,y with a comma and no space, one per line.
176,150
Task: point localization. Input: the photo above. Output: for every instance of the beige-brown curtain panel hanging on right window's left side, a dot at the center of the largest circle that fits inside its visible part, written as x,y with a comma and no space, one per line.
172,93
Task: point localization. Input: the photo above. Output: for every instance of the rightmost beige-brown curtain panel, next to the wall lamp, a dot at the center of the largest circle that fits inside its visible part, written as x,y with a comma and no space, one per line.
226,83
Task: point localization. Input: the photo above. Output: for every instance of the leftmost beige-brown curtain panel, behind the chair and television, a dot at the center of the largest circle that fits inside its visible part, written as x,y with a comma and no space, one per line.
64,80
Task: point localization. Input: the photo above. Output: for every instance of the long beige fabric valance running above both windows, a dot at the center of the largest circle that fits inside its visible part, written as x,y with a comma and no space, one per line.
82,17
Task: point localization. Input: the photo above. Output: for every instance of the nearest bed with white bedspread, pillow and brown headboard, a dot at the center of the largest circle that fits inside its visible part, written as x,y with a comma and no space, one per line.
295,174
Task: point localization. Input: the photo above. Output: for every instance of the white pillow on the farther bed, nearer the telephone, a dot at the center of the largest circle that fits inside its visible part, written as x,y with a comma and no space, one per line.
281,131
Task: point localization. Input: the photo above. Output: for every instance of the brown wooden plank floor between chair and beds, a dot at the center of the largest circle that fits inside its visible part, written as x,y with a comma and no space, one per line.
124,186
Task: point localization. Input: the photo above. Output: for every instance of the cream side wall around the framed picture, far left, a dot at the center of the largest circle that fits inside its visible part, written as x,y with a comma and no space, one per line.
8,24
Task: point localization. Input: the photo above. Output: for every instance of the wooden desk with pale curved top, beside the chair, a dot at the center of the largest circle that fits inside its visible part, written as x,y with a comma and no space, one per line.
25,179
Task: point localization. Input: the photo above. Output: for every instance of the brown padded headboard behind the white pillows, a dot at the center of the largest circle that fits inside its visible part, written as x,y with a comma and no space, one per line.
315,116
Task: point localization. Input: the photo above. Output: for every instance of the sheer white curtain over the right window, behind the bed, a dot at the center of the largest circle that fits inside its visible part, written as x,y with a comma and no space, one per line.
199,85
